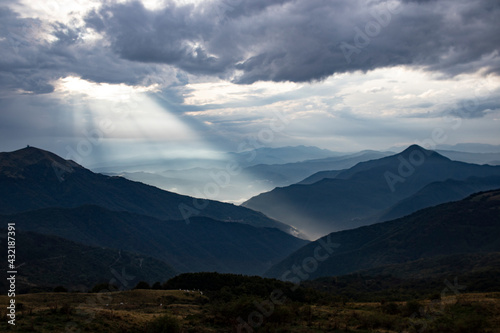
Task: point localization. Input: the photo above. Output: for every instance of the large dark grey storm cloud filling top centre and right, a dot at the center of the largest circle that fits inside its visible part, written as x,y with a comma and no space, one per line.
306,40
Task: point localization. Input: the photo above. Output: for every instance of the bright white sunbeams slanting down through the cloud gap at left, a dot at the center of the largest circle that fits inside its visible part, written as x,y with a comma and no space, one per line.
122,116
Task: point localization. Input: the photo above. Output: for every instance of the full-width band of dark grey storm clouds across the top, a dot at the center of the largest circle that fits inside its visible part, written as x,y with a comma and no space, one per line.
251,40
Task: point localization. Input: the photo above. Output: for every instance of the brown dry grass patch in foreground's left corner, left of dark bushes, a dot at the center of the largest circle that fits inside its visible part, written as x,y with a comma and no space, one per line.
125,311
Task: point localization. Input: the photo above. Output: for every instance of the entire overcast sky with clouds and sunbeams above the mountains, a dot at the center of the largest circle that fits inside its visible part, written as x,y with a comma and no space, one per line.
100,80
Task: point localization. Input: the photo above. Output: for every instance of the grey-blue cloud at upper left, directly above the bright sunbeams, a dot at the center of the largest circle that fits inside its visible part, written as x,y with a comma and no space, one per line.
30,62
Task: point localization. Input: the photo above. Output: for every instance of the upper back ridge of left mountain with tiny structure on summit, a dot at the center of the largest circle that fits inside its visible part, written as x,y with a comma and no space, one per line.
32,178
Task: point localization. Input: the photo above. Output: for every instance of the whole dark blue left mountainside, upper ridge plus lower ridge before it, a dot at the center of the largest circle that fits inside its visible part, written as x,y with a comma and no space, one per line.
43,193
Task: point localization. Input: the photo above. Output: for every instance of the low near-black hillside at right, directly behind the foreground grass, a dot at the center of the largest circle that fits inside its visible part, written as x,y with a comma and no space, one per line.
427,278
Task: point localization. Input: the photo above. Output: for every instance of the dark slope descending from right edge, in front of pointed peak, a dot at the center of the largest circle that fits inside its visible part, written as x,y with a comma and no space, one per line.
468,226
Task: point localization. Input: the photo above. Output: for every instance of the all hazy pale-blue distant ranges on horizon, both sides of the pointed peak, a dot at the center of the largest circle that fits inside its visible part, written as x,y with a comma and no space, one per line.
261,170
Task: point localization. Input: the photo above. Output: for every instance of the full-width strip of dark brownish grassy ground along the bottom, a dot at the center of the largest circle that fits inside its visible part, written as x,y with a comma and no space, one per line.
191,311
